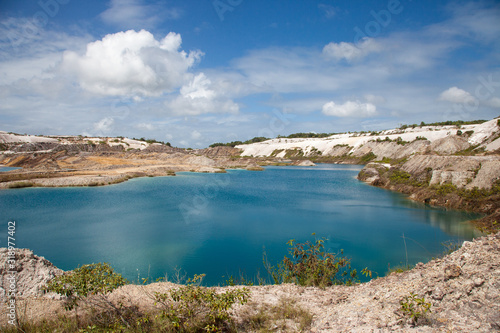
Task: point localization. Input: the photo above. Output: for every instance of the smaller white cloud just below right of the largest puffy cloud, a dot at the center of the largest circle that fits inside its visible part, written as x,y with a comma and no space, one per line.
201,96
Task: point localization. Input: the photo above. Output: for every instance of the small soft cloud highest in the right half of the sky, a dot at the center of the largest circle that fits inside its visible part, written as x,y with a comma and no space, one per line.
351,51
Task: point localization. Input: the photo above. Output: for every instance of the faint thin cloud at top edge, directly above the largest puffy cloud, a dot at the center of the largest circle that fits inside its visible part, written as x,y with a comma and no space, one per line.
134,14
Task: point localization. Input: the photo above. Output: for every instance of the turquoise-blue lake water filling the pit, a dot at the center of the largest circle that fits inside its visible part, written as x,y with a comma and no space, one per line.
219,224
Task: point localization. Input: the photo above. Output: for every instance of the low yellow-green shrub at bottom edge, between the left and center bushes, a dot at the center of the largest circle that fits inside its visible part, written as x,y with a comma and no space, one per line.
192,308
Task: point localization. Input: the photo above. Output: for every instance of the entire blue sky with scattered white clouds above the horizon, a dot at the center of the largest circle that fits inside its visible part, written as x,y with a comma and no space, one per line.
198,72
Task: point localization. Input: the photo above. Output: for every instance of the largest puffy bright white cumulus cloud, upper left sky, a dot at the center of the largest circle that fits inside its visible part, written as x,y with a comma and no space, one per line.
132,64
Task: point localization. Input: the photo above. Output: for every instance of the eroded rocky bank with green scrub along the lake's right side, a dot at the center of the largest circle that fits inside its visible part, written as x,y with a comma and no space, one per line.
469,183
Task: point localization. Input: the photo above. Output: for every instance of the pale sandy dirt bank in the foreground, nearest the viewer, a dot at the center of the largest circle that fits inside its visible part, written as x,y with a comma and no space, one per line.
463,288
